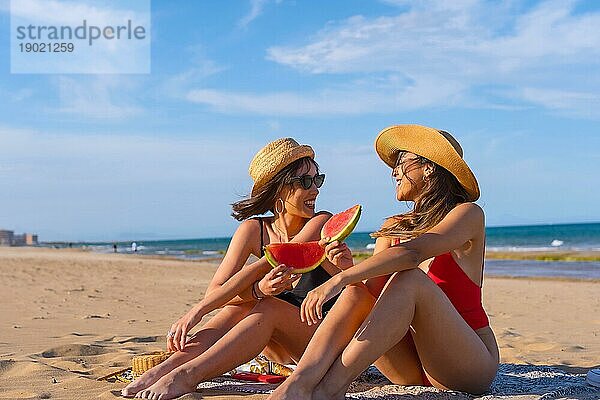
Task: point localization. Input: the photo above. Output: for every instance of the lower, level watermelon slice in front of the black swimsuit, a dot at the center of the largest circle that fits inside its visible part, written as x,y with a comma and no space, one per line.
301,257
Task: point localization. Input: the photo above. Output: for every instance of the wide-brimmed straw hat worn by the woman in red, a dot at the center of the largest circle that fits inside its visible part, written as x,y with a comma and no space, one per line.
435,145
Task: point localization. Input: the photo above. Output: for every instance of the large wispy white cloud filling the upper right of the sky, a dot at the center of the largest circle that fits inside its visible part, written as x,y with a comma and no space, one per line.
467,45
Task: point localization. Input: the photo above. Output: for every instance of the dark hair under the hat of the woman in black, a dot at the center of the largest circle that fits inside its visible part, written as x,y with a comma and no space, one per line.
267,195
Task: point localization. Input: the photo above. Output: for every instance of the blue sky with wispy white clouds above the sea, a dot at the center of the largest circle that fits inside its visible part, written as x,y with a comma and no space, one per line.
162,155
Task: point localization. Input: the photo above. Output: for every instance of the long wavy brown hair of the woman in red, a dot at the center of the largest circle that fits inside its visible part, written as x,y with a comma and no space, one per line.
441,194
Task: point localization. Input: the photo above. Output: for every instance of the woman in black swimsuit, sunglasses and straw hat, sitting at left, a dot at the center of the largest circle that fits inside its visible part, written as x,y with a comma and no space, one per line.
260,304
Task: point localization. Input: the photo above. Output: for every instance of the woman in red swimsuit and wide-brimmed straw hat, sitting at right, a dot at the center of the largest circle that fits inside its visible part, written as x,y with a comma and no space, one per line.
427,325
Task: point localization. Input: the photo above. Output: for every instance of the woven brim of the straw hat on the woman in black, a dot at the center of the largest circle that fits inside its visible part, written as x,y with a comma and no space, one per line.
266,166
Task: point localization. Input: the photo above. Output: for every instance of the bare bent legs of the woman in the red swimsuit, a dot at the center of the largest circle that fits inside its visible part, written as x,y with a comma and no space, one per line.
448,349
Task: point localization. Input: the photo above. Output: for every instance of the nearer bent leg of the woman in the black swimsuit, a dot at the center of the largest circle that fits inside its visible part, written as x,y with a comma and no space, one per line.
271,319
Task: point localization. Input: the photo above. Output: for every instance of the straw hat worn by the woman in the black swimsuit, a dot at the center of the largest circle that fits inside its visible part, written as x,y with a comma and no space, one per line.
273,158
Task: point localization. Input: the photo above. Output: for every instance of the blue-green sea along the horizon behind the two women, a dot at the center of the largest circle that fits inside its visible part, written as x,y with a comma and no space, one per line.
547,238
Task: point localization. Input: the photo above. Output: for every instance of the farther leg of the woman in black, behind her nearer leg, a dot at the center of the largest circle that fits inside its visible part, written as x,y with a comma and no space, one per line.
207,336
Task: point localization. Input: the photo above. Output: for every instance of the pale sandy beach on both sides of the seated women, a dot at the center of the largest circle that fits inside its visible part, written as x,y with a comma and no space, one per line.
69,317
